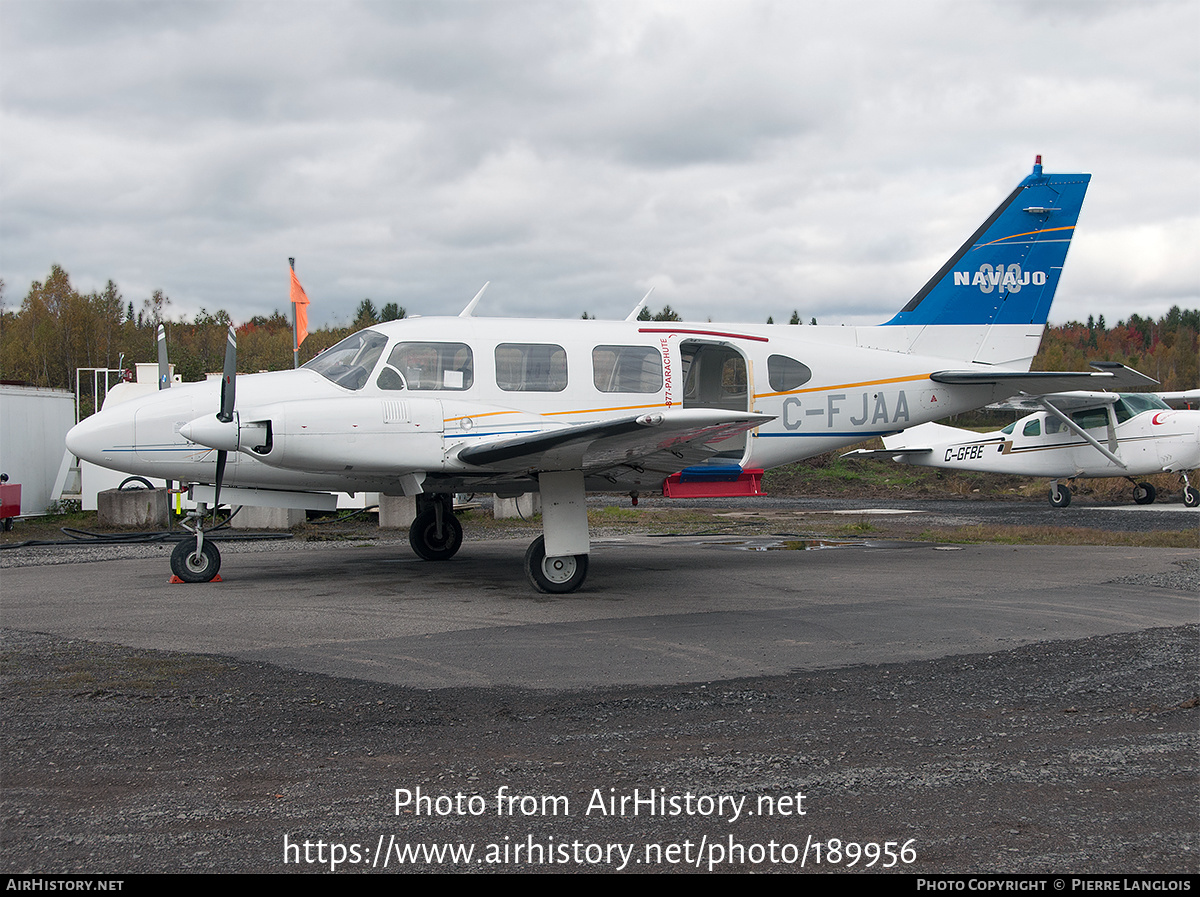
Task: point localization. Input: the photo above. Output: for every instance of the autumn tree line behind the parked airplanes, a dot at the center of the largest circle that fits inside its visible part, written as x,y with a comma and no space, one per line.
59,329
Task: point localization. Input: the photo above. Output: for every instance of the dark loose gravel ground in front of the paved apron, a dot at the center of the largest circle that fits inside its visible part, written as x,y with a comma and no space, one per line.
1071,756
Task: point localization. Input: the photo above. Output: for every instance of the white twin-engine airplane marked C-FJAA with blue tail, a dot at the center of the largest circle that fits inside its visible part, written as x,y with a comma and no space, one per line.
430,407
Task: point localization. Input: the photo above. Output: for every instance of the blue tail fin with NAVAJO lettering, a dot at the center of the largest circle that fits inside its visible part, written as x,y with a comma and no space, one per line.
1007,273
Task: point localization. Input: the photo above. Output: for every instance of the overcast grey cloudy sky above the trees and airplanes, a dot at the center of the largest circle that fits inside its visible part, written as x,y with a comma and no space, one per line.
745,159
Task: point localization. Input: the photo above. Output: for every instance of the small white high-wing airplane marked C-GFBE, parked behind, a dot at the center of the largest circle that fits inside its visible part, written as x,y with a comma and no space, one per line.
1073,436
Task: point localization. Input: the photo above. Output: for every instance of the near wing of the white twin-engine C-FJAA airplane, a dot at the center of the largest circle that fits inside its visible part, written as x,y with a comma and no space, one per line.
667,441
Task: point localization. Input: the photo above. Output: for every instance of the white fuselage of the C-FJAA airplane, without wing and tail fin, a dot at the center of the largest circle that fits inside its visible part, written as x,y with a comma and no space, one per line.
434,387
